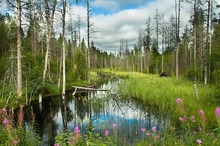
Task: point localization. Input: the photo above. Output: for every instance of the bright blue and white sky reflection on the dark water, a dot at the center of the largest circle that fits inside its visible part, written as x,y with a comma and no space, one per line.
128,117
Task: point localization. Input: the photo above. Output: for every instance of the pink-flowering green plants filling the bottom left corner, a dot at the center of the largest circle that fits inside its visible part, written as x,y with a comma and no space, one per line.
12,133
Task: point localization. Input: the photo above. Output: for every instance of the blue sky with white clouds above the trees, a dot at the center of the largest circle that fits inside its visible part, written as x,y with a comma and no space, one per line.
121,19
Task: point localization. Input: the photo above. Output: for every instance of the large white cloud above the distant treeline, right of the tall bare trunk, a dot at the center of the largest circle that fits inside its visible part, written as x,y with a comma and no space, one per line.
126,23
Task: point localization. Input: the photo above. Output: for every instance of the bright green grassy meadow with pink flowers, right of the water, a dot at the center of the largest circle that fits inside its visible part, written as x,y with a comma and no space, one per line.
195,120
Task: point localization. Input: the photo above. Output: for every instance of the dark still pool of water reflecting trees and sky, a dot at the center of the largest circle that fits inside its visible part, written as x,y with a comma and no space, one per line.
100,107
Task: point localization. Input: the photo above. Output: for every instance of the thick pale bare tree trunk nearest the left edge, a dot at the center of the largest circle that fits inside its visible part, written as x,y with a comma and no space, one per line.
19,69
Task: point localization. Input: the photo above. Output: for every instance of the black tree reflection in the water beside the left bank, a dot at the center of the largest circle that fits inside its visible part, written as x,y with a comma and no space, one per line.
44,118
